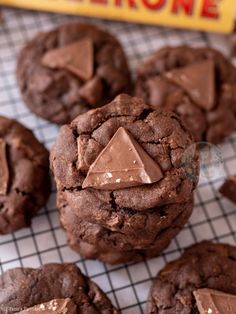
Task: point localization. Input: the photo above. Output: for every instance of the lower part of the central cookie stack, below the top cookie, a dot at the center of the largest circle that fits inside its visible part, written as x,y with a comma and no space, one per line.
139,234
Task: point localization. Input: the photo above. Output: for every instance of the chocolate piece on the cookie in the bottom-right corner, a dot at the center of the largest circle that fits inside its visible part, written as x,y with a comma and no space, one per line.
215,302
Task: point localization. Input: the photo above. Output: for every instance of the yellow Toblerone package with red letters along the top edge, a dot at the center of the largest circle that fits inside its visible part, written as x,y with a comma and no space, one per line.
207,15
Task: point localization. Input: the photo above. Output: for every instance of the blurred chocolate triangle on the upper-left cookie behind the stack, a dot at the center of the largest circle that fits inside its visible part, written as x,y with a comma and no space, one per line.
78,58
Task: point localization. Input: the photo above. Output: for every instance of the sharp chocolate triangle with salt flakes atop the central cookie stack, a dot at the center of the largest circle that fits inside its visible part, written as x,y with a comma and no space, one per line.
123,163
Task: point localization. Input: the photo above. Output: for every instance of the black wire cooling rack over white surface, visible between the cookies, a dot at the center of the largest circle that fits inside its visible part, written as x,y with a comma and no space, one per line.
214,217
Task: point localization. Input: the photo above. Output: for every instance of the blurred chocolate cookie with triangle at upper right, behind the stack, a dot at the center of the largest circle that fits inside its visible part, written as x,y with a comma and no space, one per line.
196,83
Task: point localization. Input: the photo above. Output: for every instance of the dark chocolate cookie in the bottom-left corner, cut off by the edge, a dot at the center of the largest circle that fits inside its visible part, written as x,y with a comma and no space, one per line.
23,288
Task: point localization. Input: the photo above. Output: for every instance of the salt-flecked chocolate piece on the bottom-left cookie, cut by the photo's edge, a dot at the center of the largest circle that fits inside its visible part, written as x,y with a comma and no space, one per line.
56,306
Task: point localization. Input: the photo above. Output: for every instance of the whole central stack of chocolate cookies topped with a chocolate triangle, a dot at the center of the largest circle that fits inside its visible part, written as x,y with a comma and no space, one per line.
123,191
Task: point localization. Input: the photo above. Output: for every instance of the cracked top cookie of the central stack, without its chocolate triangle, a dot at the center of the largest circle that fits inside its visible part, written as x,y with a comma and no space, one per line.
161,134
